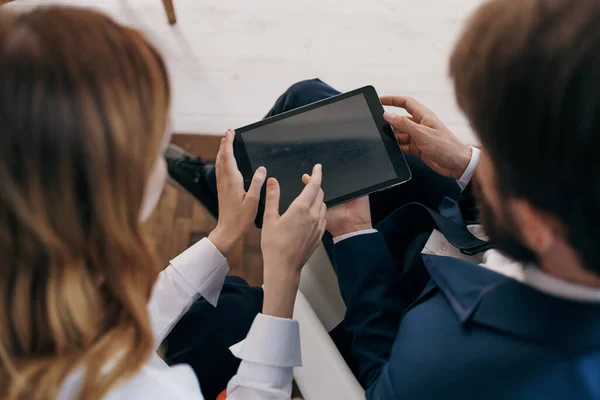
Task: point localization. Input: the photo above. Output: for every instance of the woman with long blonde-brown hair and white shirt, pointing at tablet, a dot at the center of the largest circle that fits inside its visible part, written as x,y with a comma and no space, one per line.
84,108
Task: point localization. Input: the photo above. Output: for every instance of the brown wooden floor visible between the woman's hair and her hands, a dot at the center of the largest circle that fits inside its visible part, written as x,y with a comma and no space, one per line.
180,221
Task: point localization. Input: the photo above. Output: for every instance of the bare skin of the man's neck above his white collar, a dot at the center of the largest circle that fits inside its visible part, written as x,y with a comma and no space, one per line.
564,264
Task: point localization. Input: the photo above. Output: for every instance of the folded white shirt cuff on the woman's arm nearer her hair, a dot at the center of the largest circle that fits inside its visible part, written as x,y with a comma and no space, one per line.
193,274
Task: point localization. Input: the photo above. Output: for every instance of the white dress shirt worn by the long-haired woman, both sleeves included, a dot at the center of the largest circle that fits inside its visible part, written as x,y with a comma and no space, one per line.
269,353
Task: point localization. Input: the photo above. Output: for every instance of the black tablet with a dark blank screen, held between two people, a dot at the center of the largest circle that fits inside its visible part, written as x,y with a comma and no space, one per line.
346,134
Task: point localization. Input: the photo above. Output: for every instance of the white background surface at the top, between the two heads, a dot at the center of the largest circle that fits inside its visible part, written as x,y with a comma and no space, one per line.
230,59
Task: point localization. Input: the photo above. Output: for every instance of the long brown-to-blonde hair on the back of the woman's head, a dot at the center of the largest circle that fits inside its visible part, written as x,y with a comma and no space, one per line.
83,111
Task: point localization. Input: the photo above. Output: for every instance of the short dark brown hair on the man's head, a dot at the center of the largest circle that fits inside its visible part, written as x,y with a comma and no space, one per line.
527,75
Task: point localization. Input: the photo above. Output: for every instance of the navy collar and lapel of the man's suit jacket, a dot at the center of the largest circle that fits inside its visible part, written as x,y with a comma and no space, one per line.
503,304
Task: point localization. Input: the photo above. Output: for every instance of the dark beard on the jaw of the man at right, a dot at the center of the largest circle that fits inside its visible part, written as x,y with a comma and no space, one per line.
498,229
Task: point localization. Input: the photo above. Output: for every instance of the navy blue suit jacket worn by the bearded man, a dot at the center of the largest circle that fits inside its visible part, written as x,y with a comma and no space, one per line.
431,327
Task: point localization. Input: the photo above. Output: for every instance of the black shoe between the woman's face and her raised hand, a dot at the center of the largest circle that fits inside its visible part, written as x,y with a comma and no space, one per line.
192,174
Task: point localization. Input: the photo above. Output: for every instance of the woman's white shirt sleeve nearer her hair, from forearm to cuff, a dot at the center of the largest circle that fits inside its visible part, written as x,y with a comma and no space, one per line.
198,271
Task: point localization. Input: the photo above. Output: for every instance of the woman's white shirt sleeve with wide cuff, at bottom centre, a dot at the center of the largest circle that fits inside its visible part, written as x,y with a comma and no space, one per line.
269,354
